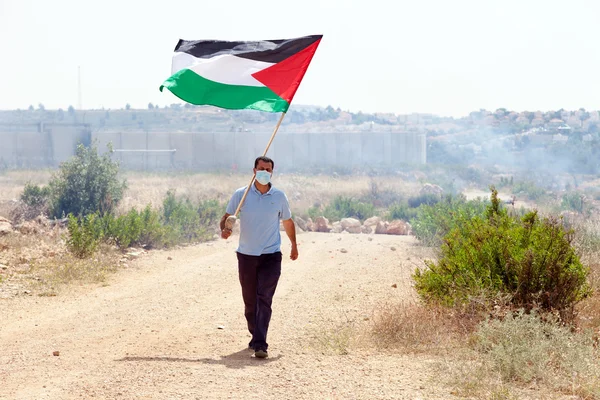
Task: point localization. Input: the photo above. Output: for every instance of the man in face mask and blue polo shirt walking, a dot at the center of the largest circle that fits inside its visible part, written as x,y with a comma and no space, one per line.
259,251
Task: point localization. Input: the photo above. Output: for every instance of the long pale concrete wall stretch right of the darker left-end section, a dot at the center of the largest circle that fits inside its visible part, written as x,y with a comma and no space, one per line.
227,150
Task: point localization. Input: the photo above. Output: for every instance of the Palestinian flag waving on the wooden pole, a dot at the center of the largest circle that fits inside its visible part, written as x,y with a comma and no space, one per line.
262,75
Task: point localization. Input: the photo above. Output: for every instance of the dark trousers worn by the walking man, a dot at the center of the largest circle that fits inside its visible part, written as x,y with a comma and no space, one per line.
259,276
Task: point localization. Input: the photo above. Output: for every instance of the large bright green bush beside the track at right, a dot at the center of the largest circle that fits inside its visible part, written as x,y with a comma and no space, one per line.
528,259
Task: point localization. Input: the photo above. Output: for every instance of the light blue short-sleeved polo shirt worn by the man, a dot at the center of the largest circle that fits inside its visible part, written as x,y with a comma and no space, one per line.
259,219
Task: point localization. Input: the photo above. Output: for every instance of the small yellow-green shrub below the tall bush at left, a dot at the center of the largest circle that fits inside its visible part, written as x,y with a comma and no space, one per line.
85,234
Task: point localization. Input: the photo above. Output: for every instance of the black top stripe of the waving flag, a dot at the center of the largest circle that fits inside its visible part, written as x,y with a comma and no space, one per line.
271,51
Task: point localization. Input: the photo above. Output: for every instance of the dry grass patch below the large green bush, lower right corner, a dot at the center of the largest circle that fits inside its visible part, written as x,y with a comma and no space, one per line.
518,357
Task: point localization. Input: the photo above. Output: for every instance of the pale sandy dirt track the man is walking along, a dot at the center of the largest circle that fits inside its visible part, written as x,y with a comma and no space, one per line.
174,329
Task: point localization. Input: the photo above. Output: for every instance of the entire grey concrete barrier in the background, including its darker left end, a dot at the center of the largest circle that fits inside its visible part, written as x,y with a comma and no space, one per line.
39,146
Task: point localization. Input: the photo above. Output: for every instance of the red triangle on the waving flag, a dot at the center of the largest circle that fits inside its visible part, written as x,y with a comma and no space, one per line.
284,77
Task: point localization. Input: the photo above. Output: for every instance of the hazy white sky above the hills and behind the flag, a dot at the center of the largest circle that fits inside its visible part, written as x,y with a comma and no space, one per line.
438,56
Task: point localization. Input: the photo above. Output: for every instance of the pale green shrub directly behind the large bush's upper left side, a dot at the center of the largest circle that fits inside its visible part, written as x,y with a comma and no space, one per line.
433,222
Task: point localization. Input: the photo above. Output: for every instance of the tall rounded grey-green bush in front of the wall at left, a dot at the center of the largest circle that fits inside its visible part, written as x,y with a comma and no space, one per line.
86,184
